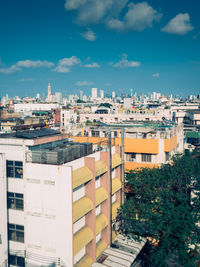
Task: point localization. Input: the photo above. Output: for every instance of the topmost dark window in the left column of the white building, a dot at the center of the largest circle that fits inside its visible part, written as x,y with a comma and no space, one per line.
14,169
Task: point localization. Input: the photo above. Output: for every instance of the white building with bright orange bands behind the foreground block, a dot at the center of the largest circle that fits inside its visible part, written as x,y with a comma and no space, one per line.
145,144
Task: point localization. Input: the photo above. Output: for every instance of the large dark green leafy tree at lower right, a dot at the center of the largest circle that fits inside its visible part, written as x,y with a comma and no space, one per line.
164,206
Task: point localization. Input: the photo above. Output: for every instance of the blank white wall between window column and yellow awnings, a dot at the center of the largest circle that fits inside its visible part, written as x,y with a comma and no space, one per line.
48,216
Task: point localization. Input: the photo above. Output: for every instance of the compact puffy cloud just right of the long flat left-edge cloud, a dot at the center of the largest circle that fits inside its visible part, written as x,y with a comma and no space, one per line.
65,64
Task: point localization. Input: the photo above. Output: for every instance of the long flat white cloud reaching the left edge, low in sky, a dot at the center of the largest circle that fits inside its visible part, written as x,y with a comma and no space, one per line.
26,64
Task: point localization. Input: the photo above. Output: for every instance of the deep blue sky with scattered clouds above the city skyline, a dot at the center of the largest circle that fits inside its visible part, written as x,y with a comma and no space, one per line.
108,44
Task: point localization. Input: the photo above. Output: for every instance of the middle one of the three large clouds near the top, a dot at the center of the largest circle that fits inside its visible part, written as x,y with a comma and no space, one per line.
138,17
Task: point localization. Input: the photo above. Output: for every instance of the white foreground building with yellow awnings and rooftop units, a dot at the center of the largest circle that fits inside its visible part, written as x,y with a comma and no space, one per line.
58,208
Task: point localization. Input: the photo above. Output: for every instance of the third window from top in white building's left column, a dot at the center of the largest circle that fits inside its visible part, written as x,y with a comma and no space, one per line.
16,233
